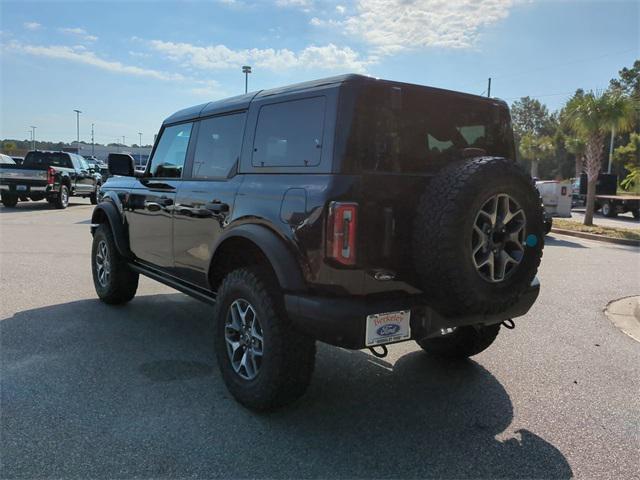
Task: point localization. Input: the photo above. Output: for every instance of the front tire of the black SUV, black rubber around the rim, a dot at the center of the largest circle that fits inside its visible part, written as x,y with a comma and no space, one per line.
123,282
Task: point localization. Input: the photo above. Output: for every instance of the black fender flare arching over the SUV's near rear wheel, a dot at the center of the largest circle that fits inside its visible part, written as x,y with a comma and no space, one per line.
282,260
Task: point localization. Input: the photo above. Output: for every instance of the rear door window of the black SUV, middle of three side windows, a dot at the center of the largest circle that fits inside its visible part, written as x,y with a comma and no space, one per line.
218,146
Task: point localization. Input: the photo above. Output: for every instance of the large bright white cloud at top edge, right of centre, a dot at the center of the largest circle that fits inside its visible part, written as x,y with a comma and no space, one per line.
394,25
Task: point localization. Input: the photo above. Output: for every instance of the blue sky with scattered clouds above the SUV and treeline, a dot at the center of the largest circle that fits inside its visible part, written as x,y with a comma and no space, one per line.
128,65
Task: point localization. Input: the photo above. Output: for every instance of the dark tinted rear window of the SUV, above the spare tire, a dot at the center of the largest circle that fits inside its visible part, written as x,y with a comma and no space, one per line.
411,129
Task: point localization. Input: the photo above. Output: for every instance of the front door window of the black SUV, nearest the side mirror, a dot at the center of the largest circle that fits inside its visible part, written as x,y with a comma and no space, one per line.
168,159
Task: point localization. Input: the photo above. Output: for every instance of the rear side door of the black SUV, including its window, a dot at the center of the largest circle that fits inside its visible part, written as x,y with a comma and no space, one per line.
206,197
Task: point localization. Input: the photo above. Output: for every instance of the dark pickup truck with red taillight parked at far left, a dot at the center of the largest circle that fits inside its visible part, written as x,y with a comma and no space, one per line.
54,176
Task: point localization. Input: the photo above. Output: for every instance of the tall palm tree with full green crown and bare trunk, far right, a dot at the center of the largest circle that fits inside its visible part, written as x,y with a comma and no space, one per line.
592,116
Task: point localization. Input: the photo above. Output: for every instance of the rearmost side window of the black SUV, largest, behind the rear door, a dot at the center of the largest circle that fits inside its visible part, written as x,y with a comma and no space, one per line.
289,134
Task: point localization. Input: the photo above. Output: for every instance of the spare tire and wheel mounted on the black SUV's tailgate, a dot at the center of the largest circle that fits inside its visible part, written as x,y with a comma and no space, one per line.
478,236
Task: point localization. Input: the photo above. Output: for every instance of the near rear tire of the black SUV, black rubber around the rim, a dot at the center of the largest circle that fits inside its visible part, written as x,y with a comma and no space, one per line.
288,356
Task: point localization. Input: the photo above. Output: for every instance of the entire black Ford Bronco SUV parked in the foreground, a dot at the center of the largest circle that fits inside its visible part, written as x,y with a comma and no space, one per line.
354,211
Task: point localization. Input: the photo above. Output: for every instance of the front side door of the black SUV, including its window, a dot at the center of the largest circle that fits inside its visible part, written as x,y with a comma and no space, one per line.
151,202
